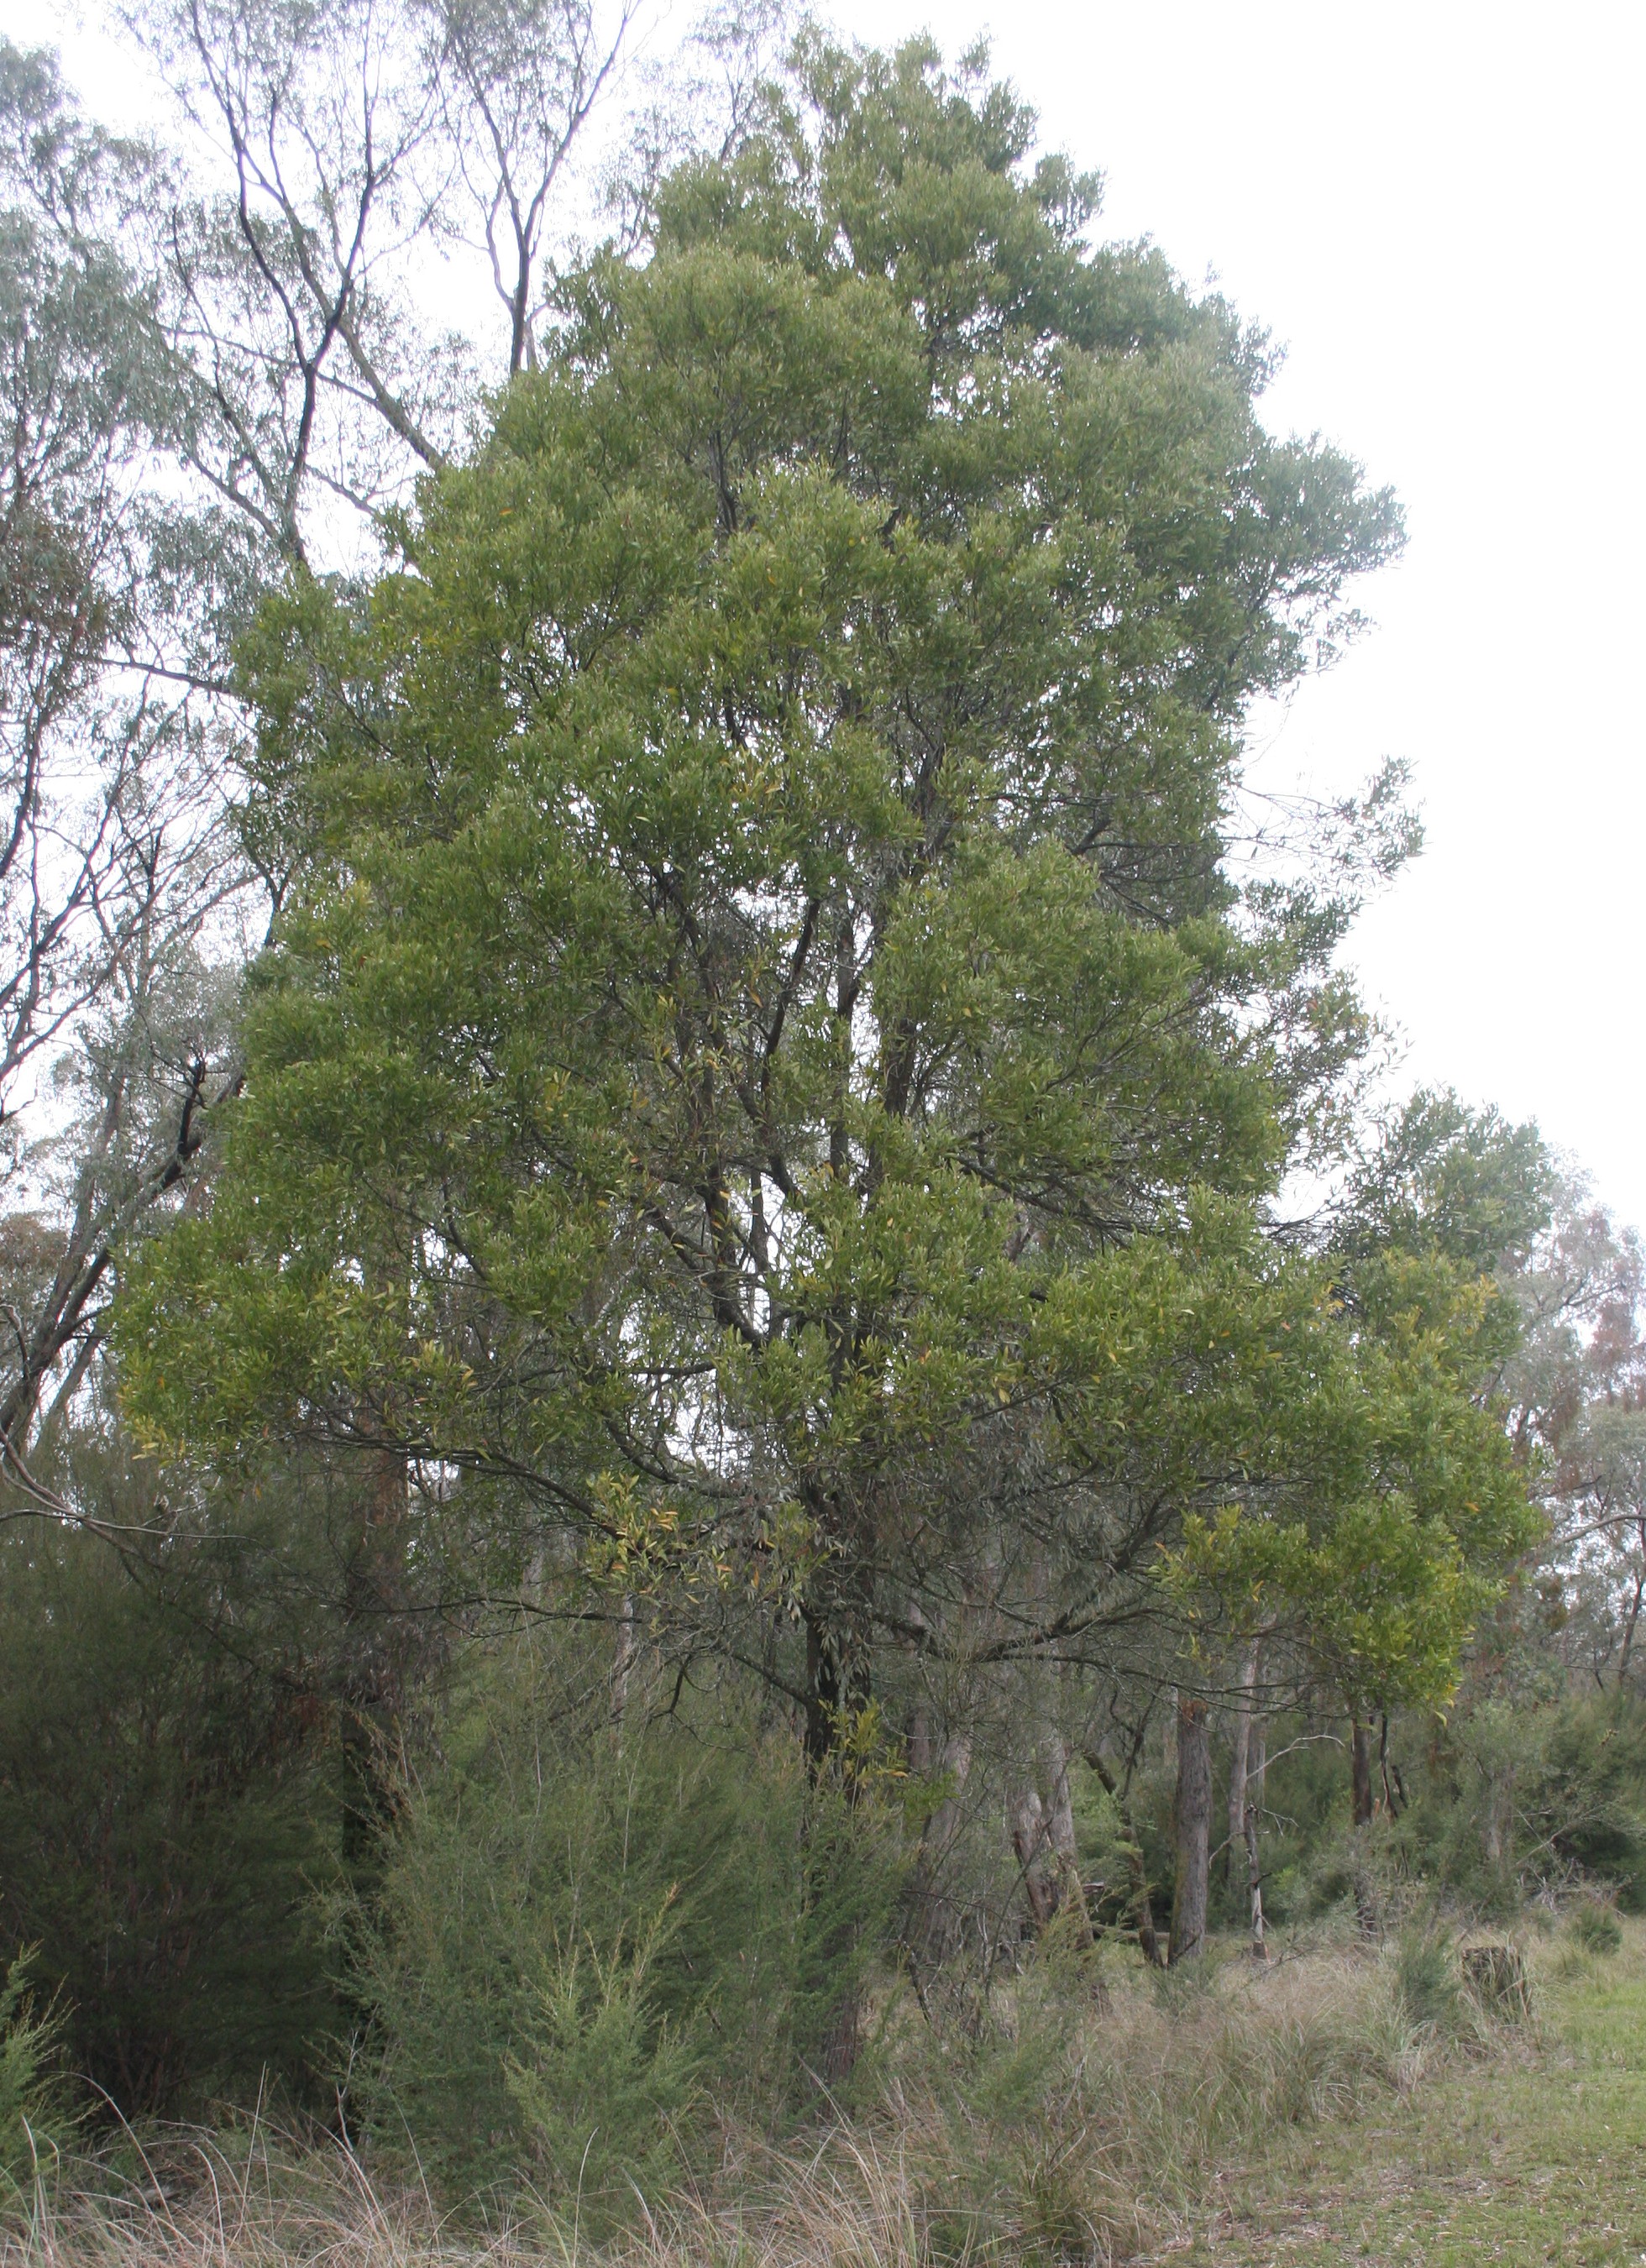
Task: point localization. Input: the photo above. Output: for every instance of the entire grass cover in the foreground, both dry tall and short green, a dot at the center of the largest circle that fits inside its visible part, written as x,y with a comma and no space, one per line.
1244,2119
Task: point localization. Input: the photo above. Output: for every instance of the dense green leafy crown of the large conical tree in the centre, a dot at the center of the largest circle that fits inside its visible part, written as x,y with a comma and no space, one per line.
767,1065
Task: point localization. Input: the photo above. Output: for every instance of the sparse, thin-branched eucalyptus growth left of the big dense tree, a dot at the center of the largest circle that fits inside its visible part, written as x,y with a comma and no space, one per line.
219,362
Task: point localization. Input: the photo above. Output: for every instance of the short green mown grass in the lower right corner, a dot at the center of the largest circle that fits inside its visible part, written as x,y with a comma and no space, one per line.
1525,2158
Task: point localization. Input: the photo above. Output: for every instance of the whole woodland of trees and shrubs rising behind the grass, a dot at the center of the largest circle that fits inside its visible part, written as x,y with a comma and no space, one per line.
711,1305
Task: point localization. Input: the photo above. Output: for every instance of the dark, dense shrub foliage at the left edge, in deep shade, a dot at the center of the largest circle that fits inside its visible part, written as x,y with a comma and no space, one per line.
167,1818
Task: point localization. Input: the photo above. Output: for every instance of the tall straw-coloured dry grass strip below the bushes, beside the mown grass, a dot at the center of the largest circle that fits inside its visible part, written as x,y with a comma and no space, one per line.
1080,2129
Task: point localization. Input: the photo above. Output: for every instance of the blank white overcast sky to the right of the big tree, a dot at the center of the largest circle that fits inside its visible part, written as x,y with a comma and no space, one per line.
1439,212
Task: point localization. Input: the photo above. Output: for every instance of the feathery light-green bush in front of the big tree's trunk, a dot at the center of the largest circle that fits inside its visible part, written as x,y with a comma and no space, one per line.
591,1938
